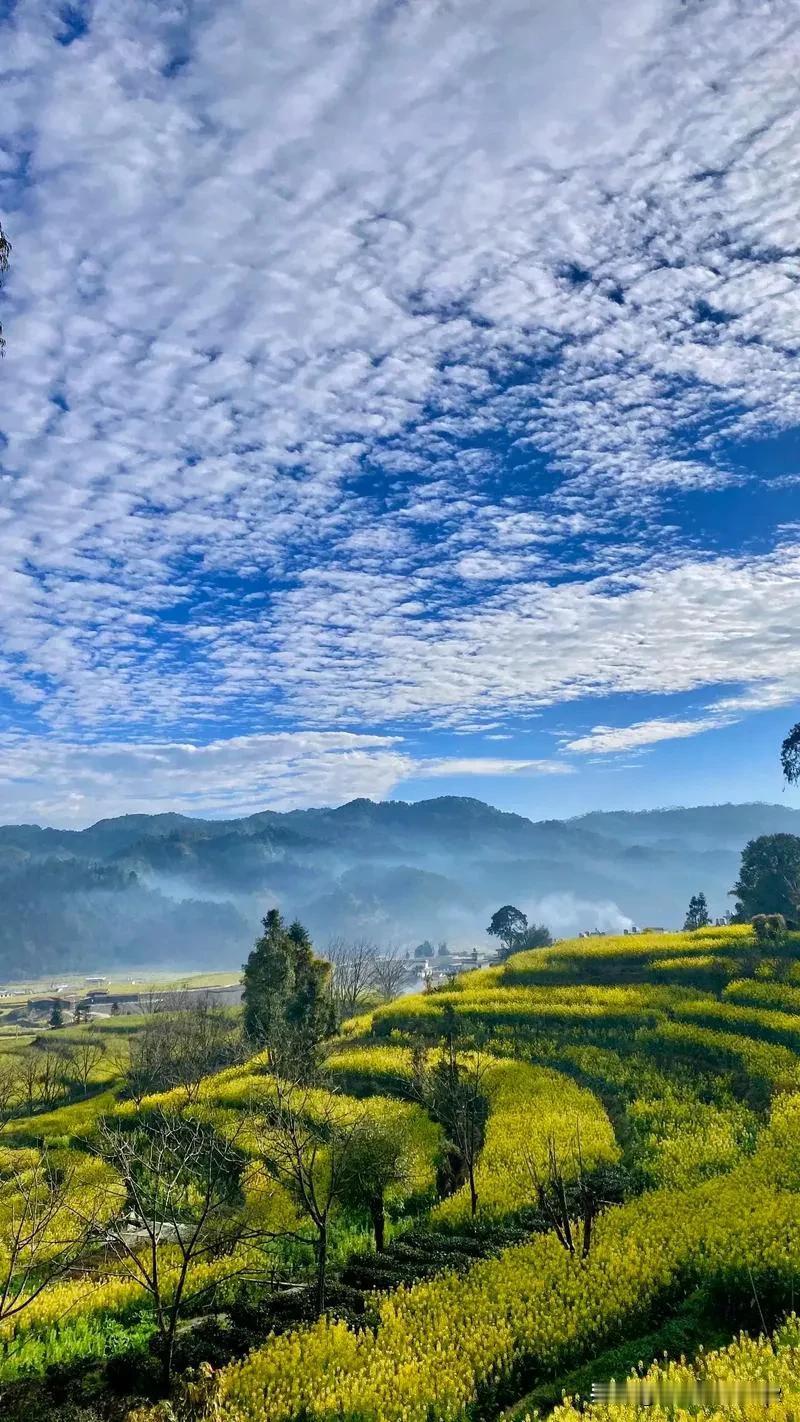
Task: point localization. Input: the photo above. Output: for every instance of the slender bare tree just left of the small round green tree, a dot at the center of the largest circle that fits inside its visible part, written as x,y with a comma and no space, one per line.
308,1150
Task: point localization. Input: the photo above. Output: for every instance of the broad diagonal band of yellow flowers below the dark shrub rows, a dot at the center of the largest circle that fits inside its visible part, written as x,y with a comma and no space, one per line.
441,1346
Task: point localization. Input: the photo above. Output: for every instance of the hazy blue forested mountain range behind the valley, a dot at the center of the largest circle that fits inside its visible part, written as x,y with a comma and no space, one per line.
178,892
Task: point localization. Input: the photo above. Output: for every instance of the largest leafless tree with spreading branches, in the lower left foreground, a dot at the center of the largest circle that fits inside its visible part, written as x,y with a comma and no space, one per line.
180,1184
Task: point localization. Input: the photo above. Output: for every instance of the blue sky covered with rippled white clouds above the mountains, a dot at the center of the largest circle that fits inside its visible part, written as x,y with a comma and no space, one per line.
401,399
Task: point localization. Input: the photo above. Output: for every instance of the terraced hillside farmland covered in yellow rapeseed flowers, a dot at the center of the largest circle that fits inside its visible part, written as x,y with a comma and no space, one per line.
650,1084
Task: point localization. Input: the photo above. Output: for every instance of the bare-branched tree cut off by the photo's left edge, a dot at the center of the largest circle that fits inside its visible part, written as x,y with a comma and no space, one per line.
42,1234
